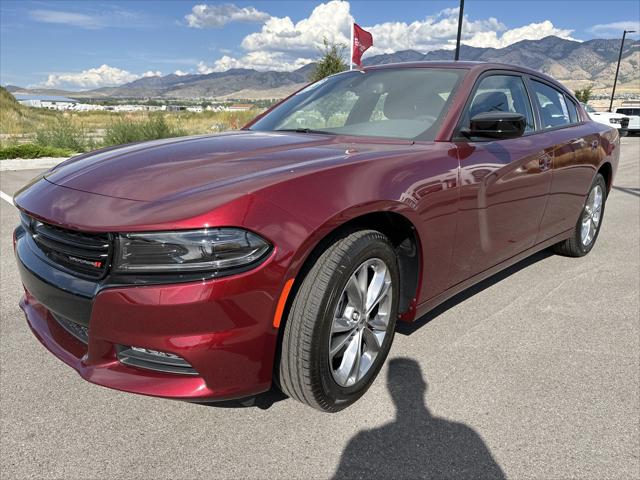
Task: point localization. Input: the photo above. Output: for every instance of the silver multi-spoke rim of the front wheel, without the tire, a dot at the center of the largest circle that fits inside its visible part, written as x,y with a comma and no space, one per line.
360,322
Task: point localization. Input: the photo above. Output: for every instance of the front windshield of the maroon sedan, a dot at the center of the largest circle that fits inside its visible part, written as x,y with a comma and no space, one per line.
404,103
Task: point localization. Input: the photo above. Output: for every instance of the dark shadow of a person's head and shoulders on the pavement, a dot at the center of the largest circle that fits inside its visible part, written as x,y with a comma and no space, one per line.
416,444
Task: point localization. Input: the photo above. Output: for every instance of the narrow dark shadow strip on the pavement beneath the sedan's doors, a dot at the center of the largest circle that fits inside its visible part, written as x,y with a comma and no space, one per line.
405,328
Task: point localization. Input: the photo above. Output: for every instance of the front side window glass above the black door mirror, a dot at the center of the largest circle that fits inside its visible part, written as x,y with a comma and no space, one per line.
501,93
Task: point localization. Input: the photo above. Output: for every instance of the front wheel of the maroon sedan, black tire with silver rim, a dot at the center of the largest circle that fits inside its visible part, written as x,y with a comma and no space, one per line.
308,371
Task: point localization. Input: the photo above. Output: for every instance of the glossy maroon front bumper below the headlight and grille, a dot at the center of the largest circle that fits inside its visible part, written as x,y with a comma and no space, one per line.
222,328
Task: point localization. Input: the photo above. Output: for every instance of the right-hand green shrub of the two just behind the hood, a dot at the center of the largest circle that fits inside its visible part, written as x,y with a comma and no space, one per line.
126,130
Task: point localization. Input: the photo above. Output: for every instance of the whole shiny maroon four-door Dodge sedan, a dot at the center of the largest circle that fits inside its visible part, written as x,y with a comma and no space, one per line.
206,268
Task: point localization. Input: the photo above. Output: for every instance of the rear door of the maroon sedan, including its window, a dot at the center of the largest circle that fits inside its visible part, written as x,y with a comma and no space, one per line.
577,152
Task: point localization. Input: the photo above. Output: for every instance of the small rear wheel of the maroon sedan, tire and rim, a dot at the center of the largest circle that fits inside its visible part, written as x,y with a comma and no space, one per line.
575,245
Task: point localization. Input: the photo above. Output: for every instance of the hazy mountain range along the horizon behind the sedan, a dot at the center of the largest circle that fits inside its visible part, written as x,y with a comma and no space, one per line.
576,64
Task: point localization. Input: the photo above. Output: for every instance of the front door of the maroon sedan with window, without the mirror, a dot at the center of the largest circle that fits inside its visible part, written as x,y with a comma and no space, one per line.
503,183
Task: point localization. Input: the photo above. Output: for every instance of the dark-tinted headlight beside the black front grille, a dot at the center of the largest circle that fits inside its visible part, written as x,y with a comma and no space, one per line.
205,250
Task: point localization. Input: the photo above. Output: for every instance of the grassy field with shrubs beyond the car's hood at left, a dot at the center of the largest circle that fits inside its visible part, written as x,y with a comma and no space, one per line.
84,131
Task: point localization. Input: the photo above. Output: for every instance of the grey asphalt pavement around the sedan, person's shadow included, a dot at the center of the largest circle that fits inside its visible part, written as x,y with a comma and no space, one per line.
534,374
